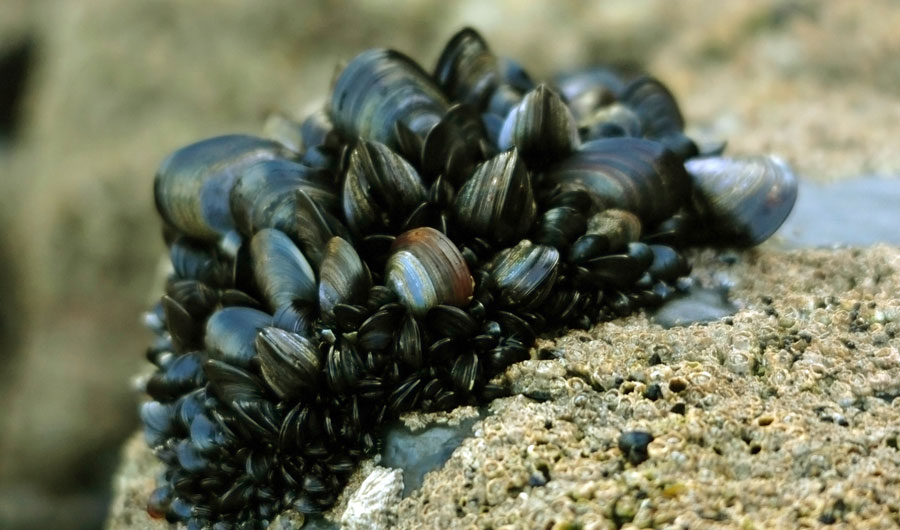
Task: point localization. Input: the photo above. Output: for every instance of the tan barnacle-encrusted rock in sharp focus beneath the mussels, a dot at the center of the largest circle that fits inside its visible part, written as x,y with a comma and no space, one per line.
785,415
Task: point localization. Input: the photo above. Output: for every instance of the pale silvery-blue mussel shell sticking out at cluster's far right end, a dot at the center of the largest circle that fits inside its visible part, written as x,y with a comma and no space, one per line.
742,200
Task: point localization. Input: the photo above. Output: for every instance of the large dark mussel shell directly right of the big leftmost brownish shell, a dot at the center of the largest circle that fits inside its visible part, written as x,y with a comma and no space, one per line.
265,195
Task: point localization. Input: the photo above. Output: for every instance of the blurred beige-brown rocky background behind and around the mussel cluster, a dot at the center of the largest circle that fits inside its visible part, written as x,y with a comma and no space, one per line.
93,95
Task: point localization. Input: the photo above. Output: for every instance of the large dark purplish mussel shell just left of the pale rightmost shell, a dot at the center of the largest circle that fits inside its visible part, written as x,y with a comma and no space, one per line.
633,174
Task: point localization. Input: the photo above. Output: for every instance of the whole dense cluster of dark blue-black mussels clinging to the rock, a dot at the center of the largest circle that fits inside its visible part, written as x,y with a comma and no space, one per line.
400,248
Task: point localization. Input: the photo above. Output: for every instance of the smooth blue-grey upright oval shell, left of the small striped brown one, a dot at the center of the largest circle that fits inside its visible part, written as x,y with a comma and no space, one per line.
281,270
